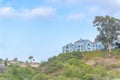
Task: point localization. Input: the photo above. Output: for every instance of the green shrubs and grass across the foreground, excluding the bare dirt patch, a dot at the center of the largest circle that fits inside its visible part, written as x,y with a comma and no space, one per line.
66,66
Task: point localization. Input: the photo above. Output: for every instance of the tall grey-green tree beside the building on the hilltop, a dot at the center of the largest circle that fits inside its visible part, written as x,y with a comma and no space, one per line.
109,29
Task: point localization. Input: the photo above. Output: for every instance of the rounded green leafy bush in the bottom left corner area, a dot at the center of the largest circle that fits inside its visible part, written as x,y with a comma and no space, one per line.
18,73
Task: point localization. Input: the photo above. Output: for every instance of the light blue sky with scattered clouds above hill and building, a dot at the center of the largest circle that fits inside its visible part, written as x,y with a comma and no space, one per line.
40,28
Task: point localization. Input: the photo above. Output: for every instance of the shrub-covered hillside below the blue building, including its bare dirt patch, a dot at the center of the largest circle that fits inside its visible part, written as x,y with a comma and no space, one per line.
84,65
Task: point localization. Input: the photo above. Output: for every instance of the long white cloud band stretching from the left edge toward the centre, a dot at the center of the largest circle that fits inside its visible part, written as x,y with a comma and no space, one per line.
40,12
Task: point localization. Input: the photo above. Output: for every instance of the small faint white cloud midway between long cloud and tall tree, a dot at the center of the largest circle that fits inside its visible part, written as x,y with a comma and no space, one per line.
75,16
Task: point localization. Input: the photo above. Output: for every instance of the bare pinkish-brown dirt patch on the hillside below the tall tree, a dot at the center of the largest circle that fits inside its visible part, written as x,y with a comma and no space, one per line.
109,61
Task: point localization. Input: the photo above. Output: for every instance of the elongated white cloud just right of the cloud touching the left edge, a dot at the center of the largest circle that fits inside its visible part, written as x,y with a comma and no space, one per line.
44,12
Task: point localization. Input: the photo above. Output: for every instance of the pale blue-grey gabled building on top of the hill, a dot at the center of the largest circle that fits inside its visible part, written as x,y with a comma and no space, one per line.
82,46
